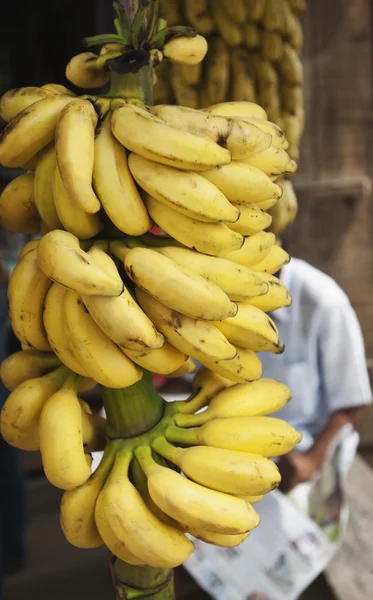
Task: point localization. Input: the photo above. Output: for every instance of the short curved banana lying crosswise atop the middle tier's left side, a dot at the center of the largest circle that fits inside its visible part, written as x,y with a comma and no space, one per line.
61,259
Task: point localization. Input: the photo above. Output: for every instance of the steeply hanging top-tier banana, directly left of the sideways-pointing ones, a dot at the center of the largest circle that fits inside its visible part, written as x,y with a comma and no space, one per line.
114,185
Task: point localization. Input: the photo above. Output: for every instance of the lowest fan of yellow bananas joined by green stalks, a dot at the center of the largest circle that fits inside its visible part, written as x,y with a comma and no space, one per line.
141,507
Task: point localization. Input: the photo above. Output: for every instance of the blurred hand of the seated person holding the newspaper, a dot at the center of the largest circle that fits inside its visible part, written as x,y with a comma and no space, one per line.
297,467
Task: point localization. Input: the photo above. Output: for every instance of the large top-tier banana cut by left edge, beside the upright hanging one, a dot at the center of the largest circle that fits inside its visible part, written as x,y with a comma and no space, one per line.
31,130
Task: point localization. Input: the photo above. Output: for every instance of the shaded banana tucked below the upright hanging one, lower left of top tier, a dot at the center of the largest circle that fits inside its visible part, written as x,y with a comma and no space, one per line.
74,219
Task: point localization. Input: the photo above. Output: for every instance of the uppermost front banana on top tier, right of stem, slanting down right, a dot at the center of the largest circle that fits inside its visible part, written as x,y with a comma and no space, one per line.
142,132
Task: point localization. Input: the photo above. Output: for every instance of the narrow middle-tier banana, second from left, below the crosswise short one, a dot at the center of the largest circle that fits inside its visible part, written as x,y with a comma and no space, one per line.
55,325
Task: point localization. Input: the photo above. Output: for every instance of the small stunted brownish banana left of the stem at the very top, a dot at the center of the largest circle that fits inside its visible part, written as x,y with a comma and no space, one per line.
82,71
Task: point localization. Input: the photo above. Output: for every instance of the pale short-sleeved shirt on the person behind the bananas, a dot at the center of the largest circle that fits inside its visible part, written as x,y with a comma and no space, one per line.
324,360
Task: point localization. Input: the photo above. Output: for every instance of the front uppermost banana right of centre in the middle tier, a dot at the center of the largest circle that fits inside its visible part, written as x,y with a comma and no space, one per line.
163,278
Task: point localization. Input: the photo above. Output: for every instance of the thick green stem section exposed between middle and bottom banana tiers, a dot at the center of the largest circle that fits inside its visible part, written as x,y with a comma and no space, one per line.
133,410
